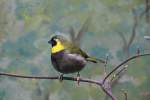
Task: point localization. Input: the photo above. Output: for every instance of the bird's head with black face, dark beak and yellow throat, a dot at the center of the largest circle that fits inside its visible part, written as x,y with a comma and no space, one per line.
57,43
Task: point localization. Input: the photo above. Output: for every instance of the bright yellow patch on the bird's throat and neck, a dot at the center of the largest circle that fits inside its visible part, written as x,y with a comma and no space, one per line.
58,47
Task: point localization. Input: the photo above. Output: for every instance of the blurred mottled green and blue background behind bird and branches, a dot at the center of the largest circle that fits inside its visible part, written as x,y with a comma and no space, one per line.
26,26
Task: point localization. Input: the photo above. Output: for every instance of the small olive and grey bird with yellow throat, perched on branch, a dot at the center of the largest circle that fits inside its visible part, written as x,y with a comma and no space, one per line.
66,57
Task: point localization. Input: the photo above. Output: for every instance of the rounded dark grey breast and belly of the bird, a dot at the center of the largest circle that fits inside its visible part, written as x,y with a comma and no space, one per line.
65,62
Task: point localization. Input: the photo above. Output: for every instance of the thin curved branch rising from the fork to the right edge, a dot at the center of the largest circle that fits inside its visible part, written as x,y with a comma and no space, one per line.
124,62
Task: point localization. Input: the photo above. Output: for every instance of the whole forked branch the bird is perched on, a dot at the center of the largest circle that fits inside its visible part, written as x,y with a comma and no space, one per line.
105,86
